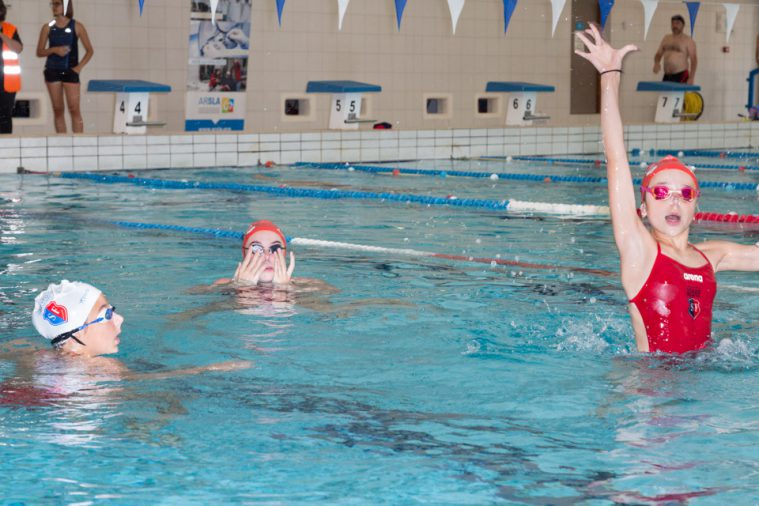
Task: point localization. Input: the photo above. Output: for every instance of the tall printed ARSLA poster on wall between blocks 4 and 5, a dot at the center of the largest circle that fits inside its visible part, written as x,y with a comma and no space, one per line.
218,66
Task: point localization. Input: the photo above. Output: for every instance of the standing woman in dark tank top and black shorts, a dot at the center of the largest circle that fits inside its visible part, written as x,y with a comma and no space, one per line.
59,42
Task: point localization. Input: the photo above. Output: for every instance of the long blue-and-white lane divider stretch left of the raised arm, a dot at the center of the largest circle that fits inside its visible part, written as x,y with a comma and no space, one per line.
495,205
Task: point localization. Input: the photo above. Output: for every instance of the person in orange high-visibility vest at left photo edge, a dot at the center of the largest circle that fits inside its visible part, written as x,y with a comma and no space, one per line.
10,71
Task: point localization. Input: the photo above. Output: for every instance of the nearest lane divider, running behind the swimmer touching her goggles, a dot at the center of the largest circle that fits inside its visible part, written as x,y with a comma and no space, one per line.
336,245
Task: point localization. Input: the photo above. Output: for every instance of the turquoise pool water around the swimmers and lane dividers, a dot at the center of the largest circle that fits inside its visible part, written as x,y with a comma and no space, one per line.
414,380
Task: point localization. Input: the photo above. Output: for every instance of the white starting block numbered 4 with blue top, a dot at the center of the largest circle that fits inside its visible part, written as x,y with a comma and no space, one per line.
132,103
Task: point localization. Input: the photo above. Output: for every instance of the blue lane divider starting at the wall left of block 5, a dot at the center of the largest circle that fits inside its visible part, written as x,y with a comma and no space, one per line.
543,178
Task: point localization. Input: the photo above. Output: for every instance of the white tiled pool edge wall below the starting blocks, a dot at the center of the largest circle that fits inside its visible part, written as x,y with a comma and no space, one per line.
117,152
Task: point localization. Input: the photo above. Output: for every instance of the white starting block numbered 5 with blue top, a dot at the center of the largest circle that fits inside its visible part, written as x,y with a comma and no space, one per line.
345,108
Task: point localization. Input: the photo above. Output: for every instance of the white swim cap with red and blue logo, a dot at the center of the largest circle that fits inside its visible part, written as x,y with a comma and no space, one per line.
63,307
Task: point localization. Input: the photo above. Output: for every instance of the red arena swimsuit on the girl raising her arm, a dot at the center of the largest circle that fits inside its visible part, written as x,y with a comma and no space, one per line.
676,305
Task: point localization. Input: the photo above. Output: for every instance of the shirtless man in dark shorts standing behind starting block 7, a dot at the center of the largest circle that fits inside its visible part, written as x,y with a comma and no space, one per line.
677,50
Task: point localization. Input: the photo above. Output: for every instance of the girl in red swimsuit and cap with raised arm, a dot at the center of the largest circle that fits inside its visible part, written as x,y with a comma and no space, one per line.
670,283
